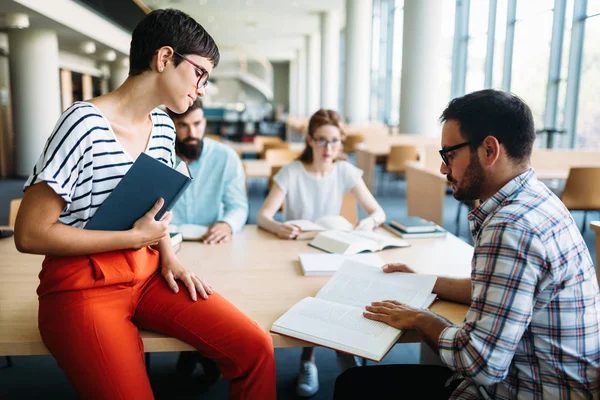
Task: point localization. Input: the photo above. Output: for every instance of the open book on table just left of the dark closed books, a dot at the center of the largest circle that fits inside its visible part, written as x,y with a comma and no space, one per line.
353,242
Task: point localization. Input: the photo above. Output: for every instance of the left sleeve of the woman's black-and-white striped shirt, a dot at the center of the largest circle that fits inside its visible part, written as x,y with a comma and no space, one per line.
67,150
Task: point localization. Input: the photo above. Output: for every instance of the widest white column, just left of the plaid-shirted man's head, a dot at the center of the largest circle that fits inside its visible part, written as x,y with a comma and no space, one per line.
420,101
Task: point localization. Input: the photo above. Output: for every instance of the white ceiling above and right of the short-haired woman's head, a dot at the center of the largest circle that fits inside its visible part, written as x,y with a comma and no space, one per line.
272,29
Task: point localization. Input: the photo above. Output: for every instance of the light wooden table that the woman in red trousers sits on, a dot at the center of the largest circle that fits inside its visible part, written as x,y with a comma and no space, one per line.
256,271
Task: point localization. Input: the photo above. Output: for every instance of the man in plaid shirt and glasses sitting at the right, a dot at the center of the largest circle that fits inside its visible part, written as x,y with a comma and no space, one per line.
532,330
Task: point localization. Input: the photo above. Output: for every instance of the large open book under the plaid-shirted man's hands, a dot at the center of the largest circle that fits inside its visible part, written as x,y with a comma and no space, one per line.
334,318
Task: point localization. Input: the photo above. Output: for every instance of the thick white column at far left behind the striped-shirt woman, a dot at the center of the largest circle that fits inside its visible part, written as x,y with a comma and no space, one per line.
35,88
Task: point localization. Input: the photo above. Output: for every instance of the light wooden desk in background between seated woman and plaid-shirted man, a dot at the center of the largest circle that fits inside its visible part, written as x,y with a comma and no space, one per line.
376,150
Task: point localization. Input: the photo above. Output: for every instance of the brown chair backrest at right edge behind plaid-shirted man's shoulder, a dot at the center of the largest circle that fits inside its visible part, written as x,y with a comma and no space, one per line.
582,189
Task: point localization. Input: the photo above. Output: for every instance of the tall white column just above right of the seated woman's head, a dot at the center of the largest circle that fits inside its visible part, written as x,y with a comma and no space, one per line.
359,14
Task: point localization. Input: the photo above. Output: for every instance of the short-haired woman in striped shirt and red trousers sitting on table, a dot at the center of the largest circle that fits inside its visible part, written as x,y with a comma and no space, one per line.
97,288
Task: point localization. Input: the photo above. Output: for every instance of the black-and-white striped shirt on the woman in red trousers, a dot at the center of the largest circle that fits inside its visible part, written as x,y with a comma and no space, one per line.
83,160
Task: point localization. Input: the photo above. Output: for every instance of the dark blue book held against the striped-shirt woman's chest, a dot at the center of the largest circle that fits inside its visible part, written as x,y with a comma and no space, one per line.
146,181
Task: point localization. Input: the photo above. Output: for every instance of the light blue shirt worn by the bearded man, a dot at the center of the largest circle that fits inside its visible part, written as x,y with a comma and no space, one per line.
218,190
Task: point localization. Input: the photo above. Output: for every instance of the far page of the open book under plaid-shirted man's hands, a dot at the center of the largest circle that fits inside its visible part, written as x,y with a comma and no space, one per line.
358,285
